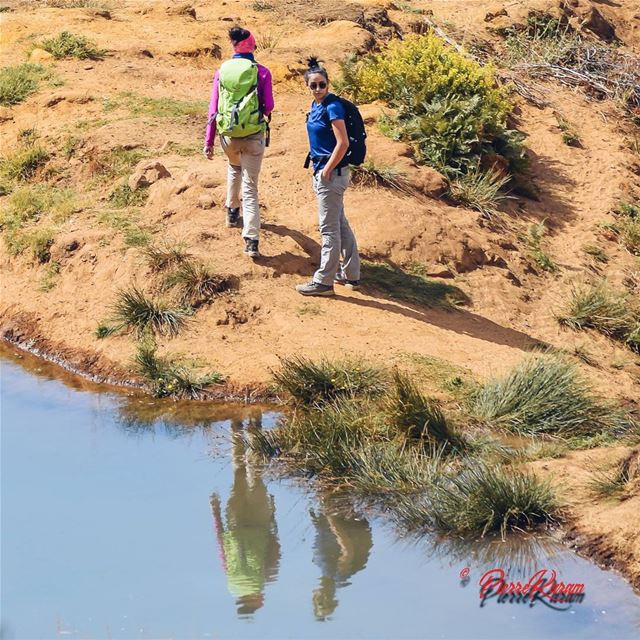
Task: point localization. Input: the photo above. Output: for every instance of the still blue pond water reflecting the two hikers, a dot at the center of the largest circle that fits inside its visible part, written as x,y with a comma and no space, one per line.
124,517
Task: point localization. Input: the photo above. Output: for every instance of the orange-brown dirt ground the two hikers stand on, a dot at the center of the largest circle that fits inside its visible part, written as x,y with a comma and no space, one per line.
166,50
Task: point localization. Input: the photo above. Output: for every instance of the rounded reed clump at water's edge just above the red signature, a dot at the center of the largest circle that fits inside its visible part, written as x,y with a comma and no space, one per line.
484,499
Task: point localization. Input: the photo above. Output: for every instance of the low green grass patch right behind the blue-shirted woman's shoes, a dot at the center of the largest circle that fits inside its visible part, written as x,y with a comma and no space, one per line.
413,288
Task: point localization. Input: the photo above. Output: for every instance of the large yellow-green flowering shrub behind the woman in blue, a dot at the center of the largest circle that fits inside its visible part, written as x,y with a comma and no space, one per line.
449,107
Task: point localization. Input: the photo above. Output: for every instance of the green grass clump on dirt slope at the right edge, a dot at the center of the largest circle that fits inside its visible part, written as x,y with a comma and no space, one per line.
609,312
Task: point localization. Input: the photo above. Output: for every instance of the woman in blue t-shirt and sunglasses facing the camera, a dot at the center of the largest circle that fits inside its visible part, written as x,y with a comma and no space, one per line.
329,143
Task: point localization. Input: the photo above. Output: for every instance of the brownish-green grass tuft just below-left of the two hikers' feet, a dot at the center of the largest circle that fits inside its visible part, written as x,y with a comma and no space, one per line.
196,284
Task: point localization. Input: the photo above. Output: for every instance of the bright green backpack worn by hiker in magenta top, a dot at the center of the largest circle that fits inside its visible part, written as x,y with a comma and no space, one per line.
238,106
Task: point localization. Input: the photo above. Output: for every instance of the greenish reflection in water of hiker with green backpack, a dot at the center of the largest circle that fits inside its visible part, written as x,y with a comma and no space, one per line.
249,542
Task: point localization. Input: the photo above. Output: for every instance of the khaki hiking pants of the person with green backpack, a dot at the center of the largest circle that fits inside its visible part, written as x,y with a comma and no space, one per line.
245,159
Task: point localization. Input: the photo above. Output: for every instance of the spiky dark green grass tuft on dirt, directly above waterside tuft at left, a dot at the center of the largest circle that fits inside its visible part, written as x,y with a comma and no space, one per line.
134,310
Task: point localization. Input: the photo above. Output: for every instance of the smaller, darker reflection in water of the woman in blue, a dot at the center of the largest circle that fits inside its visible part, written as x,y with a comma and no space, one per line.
341,549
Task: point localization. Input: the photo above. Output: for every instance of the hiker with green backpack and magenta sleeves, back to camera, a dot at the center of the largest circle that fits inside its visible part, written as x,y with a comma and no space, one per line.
241,99
